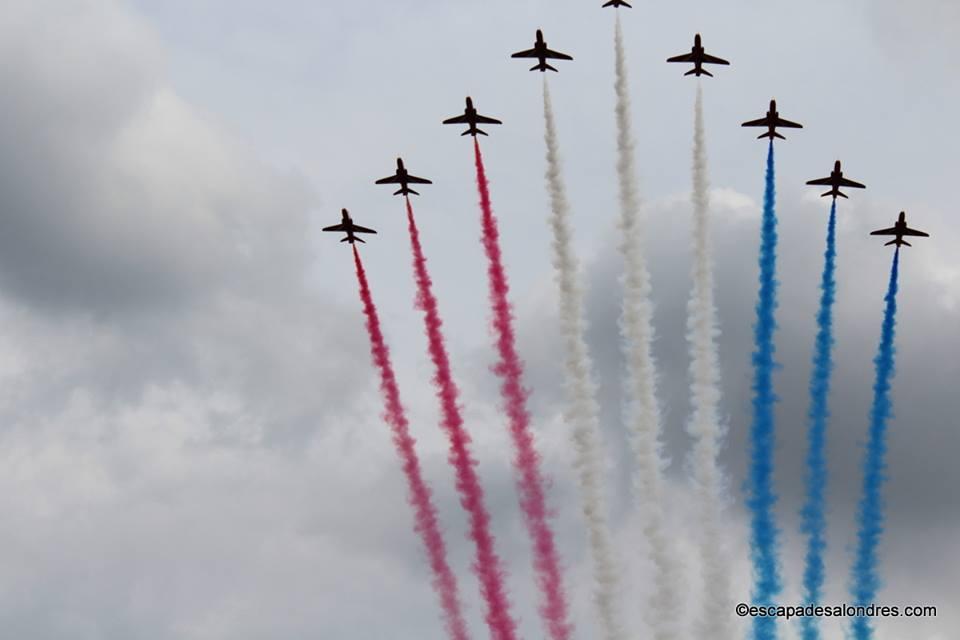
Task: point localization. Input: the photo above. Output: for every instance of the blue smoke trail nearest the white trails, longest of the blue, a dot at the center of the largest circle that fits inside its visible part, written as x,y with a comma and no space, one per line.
761,499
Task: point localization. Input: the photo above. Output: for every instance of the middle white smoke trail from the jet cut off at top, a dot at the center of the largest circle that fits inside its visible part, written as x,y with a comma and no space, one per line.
643,414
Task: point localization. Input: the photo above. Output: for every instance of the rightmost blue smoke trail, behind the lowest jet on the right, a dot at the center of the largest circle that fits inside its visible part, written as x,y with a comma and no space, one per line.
865,580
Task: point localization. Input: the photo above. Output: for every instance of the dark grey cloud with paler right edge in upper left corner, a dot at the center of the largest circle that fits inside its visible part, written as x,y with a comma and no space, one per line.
116,192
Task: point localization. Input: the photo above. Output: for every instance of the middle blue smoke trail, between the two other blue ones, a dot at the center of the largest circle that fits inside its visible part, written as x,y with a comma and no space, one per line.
812,514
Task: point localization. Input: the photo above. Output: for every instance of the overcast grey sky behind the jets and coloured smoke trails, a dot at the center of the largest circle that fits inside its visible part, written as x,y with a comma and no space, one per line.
190,438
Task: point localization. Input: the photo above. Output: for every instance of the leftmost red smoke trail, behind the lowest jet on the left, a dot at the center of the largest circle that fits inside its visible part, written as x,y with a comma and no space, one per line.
444,582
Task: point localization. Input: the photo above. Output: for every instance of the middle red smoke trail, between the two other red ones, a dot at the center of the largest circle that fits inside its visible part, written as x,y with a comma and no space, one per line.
486,564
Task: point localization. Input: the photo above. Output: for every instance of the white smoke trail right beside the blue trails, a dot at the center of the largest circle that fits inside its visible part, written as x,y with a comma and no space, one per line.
704,425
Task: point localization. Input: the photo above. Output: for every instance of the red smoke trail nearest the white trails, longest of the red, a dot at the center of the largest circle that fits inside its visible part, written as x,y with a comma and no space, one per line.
527,461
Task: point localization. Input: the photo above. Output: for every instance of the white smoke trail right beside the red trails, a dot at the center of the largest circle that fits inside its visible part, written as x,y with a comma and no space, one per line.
582,411
